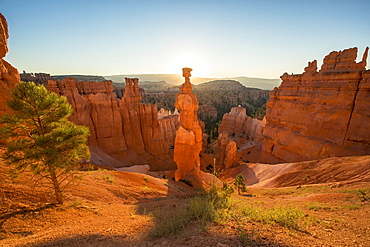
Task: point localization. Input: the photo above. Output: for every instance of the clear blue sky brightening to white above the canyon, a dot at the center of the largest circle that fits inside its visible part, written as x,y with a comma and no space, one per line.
217,38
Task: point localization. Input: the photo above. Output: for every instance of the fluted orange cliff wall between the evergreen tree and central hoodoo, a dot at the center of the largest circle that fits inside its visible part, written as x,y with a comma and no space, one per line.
122,132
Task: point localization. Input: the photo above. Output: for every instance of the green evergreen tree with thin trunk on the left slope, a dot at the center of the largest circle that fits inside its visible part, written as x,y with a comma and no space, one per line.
40,138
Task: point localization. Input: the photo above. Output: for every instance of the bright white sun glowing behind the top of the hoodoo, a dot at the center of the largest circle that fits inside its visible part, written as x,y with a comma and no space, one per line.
190,61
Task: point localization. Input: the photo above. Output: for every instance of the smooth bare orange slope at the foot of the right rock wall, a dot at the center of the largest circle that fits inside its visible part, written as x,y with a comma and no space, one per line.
335,171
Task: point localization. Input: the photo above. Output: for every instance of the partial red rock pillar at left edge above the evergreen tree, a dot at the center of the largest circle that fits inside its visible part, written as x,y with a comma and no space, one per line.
9,75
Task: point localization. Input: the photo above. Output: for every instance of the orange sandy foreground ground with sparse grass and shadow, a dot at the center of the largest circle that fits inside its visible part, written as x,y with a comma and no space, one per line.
110,208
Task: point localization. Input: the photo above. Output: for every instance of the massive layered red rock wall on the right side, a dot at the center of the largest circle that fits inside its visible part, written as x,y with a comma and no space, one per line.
321,114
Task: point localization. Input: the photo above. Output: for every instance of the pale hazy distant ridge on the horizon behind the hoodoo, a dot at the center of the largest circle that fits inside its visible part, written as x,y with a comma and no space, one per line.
176,79
